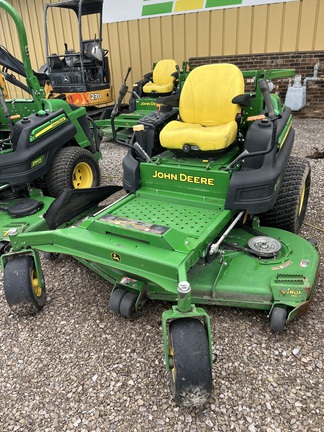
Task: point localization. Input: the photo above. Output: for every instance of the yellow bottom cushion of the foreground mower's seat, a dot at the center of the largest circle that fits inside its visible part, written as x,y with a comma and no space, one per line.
176,134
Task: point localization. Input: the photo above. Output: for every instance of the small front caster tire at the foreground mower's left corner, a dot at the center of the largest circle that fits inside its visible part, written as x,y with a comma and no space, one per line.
22,297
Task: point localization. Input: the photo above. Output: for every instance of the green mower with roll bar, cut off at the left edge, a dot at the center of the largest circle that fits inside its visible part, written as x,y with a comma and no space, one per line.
44,142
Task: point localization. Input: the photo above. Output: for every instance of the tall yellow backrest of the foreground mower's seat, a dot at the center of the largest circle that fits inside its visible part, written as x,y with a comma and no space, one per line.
206,97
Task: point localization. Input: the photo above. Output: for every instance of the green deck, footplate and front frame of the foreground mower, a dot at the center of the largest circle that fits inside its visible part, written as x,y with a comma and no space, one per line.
161,235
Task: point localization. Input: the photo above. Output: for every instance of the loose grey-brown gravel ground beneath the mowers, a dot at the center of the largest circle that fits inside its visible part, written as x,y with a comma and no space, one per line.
76,366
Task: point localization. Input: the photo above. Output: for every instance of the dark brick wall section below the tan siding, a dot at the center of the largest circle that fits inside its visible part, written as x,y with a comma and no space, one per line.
302,62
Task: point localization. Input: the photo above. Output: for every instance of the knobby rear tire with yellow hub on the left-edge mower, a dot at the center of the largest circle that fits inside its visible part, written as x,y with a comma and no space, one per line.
66,160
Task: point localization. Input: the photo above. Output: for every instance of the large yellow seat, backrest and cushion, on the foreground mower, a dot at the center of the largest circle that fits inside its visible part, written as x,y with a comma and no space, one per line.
206,109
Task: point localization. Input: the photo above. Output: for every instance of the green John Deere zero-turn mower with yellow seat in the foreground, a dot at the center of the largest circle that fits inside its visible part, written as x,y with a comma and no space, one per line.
213,207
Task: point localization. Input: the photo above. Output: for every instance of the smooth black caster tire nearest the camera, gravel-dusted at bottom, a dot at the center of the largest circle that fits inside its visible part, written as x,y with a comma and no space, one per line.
191,368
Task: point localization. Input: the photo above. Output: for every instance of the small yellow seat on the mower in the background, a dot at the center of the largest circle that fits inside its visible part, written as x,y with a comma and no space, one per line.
163,82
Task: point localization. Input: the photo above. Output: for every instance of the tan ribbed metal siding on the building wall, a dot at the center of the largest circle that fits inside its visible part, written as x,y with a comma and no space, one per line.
142,42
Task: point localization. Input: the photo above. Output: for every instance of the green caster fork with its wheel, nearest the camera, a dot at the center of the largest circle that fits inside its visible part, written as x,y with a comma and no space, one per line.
188,350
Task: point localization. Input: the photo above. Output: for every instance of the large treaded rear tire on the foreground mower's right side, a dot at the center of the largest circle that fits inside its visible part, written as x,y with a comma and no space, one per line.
289,210
